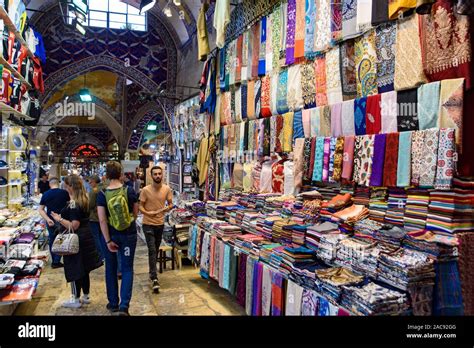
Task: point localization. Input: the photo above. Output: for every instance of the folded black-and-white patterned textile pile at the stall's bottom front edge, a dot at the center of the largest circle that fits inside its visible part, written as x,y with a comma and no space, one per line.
373,299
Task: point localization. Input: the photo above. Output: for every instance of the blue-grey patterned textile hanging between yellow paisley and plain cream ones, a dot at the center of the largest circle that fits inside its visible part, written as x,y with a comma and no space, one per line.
385,47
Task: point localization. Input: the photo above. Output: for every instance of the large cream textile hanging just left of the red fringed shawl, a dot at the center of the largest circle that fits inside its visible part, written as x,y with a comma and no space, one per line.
408,72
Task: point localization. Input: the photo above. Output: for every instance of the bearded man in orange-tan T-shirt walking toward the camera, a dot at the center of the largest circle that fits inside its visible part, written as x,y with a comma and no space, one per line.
153,199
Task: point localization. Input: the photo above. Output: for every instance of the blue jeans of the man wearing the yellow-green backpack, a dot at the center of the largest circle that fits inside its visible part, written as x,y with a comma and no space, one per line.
126,253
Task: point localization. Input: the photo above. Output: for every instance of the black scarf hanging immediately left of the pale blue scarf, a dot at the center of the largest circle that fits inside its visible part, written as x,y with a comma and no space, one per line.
407,110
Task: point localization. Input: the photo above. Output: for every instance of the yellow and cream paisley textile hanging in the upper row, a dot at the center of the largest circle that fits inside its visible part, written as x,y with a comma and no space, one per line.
365,61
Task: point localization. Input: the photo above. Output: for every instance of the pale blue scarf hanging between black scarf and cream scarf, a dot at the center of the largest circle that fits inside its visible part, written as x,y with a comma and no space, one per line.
428,105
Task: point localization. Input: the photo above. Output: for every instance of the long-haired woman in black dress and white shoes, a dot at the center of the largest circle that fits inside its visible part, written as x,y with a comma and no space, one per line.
75,216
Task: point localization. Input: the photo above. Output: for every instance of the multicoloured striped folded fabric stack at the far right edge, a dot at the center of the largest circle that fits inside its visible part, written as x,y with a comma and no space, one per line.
451,211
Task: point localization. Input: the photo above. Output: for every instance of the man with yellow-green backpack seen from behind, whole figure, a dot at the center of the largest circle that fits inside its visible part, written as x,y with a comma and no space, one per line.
117,208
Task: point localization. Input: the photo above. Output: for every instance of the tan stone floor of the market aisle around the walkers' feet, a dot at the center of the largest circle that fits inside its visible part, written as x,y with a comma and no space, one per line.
183,292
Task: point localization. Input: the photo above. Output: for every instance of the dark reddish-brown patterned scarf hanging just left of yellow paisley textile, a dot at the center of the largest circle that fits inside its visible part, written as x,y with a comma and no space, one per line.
348,70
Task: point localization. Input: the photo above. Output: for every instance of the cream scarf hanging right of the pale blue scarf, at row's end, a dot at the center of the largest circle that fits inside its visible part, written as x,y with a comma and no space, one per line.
451,108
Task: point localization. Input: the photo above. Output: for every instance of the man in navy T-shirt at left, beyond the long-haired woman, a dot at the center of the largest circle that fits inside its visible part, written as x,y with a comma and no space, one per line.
54,200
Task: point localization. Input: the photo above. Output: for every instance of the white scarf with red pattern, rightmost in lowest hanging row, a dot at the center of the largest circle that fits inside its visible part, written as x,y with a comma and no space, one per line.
445,168
